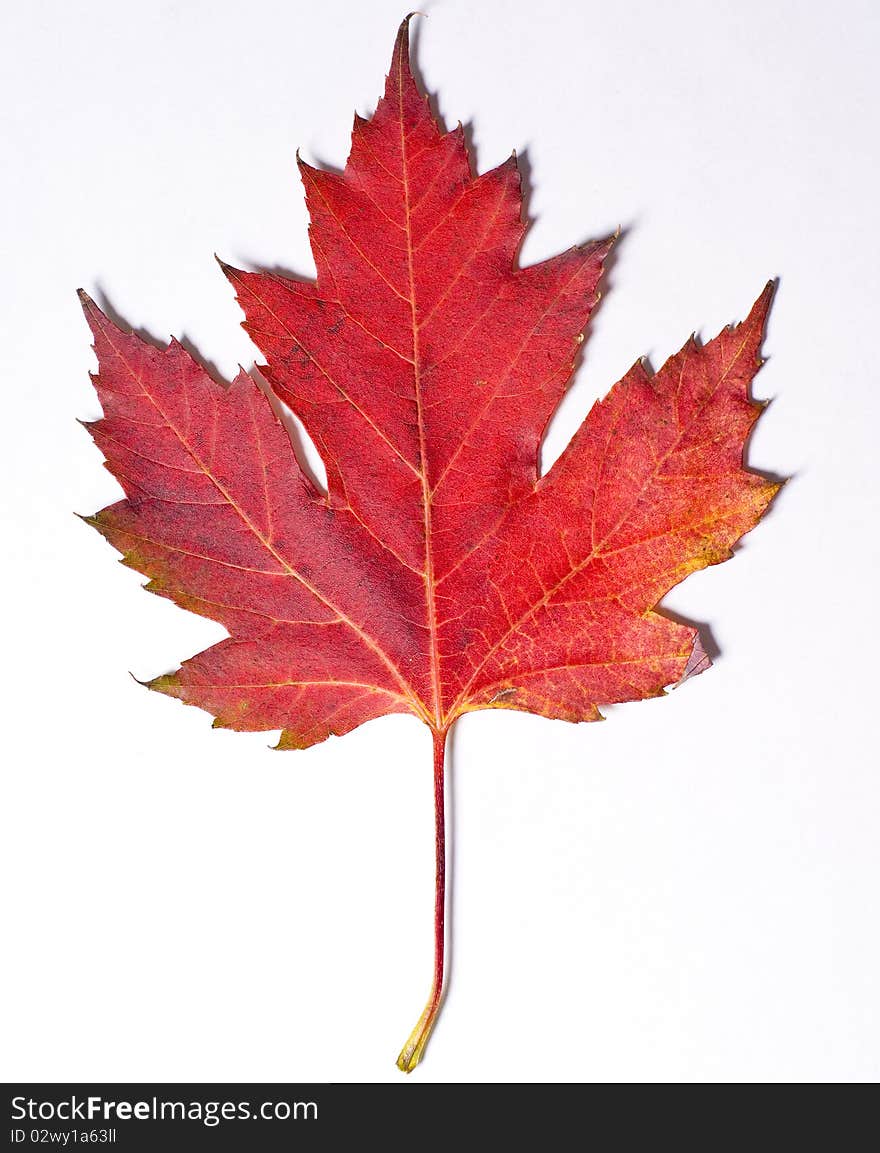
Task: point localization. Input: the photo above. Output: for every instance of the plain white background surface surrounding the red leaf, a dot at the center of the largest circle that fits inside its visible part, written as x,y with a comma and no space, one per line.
686,893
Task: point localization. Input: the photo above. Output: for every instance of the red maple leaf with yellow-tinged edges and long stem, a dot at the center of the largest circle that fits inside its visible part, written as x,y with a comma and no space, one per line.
441,574
